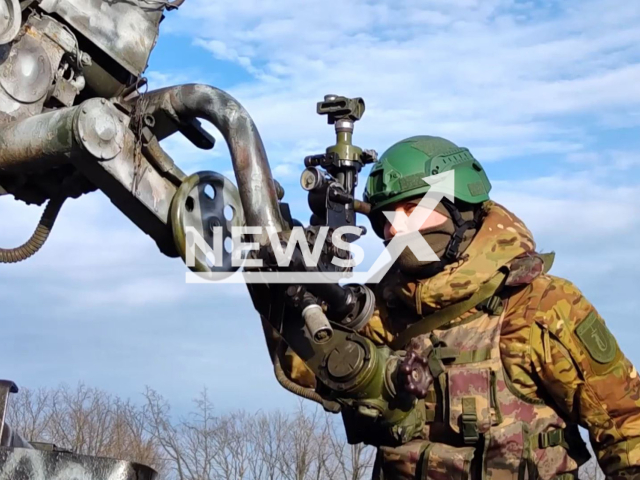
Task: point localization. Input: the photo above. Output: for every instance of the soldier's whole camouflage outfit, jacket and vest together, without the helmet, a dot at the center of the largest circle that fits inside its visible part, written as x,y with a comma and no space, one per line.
519,376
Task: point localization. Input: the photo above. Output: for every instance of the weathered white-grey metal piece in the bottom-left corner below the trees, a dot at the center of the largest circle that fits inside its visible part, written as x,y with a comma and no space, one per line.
31,464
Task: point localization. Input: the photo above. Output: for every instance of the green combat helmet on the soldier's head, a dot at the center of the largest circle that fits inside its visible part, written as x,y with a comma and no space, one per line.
398,175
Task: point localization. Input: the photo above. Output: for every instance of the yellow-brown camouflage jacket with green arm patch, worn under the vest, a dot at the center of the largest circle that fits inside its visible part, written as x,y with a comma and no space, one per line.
553,347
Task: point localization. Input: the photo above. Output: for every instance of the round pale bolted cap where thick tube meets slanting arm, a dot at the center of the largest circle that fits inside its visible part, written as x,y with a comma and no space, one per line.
101,129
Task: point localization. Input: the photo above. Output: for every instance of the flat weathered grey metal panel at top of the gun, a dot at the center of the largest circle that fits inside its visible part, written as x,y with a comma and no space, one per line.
124,30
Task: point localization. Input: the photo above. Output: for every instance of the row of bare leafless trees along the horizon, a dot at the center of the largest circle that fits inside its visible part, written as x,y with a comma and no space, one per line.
306,444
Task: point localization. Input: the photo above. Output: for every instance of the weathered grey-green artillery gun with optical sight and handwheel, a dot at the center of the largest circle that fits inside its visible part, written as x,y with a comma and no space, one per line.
74,119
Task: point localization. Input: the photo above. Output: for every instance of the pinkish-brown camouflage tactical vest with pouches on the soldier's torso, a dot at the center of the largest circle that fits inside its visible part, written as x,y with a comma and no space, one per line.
478,425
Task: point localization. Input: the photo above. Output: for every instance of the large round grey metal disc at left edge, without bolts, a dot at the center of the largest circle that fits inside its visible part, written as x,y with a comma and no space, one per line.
26,73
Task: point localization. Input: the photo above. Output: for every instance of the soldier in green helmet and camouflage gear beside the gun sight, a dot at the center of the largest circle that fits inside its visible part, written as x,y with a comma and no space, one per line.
524,358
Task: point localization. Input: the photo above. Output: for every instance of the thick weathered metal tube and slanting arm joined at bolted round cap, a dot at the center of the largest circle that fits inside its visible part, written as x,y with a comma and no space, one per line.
95,138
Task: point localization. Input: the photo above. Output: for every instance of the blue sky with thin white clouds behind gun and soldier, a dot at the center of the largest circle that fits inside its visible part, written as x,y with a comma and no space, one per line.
544,93
